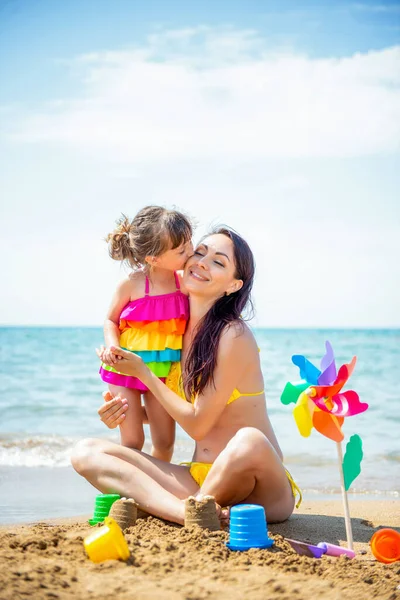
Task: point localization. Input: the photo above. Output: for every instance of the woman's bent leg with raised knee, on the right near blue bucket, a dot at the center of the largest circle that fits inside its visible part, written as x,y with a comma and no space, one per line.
249,470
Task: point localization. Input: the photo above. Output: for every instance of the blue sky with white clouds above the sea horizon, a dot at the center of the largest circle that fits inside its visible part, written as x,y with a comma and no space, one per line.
278,118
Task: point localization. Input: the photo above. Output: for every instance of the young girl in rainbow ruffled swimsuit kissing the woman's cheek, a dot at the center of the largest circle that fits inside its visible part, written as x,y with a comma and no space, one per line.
148,315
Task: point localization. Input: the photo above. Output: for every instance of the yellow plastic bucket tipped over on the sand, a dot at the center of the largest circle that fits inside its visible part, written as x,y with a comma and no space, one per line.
107,543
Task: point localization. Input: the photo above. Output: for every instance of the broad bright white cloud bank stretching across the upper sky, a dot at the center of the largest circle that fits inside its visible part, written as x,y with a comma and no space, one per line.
200,93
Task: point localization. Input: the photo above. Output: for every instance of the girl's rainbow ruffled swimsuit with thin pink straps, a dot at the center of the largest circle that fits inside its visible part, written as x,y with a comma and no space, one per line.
151,327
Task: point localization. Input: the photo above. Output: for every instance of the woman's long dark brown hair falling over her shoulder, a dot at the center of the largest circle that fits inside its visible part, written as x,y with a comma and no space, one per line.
202,358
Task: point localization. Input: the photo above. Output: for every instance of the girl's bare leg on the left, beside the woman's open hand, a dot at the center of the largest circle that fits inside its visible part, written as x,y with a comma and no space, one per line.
131,428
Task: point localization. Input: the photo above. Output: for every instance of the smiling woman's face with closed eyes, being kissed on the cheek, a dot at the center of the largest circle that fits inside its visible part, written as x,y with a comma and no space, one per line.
211,270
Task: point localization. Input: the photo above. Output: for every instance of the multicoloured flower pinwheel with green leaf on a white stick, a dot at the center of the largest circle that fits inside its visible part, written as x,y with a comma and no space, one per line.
320,403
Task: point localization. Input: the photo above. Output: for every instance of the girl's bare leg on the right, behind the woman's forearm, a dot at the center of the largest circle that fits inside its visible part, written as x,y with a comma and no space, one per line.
162,428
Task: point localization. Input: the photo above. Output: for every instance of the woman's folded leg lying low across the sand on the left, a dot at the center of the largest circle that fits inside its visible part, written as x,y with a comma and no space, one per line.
157,486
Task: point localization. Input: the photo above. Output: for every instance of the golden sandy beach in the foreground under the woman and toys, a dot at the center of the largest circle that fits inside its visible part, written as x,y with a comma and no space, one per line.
47,560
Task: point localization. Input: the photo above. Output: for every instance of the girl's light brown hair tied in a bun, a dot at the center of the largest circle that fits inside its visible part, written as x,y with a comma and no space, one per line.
152,232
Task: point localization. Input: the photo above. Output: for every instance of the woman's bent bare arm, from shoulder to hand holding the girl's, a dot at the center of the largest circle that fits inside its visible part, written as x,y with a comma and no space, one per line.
199,418
